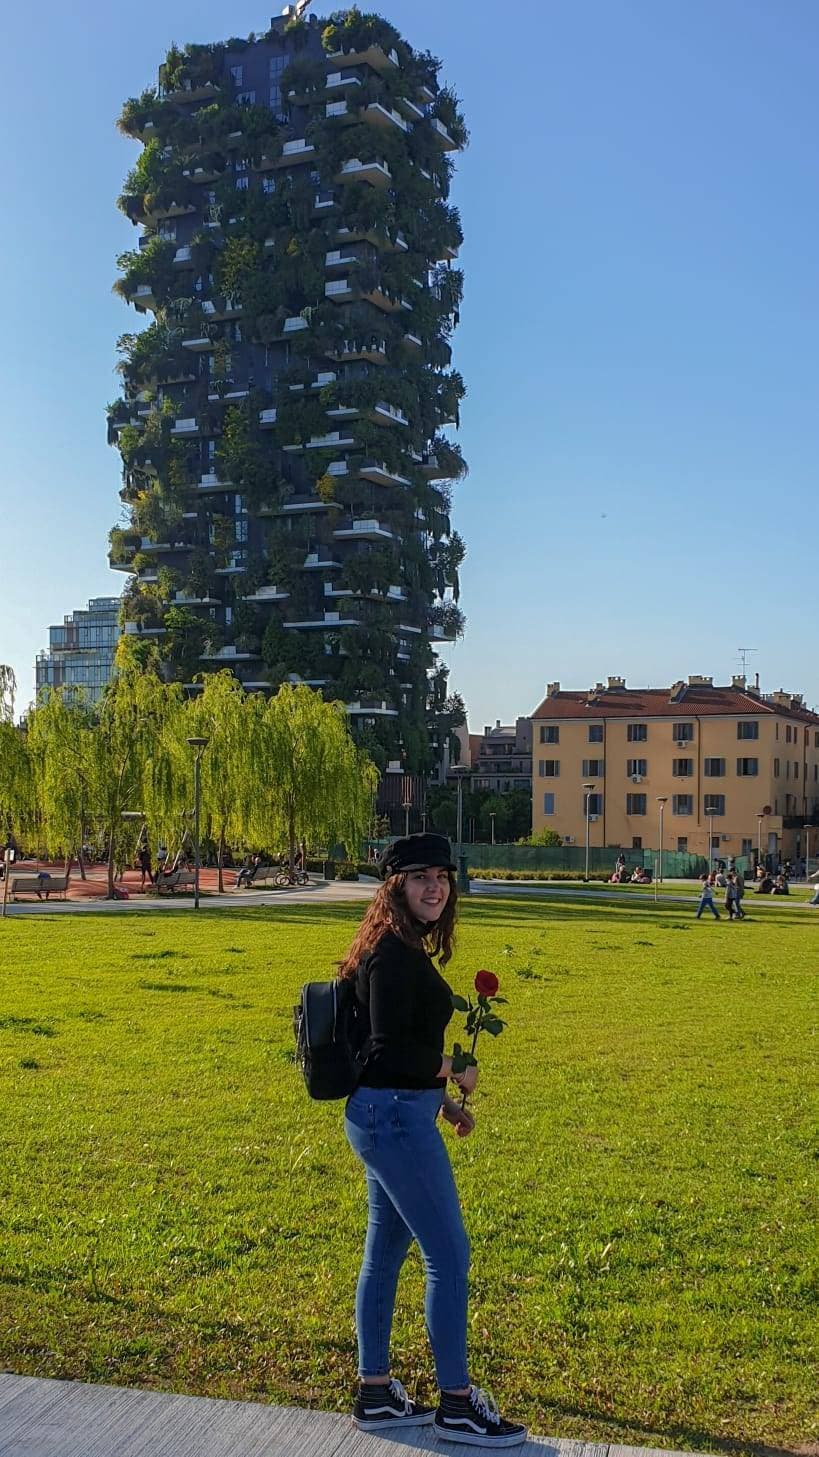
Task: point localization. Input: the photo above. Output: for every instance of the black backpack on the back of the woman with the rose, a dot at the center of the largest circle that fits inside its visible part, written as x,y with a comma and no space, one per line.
330,1038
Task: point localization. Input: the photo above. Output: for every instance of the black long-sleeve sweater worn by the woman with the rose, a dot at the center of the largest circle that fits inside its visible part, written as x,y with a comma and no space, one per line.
407,1006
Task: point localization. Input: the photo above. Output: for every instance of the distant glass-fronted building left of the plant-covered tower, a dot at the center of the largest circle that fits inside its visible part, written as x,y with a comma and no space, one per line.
81,651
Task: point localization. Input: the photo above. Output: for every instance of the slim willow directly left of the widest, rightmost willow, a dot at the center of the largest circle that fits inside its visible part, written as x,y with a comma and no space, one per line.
224,716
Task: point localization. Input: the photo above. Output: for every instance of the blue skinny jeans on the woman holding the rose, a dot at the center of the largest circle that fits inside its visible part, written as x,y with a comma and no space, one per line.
412,1197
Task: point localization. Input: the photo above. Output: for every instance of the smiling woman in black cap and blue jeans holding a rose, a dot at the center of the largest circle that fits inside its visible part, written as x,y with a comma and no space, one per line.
391,1126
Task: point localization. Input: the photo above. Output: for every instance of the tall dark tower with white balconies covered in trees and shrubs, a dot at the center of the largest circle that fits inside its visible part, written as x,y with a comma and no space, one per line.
285,463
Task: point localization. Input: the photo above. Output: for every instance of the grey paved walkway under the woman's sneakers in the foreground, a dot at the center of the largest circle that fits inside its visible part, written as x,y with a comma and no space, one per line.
43,1418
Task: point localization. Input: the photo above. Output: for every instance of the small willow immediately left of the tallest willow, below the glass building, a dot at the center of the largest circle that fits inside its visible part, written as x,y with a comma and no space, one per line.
62,755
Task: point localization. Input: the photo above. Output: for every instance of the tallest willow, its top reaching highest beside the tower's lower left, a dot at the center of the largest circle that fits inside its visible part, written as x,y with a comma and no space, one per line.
133,769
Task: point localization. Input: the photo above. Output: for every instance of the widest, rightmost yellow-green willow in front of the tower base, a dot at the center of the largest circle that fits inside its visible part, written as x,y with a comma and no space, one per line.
311,780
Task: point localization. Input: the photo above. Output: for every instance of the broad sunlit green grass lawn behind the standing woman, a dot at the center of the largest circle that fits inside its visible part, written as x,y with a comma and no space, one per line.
177,1214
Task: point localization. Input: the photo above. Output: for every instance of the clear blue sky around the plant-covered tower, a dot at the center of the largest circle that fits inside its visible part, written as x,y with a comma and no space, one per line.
639,340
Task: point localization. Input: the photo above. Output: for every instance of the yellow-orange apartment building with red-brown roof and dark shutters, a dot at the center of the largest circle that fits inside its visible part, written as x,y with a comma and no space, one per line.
729,763
